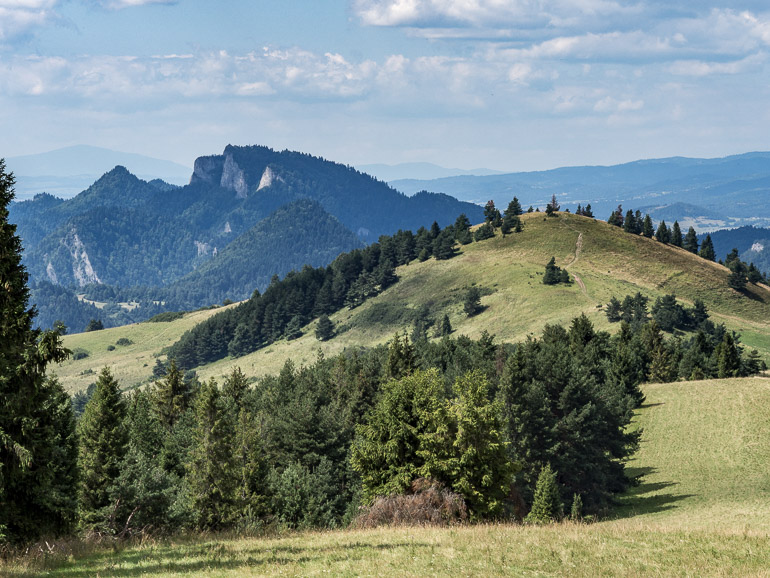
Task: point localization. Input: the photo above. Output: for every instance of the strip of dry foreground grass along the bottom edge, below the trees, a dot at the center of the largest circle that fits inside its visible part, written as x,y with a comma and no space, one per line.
494,550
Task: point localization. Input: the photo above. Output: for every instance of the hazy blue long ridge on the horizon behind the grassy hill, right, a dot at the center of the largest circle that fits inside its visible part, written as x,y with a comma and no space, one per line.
707,193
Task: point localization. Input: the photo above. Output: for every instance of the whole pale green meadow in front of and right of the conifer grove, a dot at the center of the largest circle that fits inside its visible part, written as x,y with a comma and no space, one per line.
703,508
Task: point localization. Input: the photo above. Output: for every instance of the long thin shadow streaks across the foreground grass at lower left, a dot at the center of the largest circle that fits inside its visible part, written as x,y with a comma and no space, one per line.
200,559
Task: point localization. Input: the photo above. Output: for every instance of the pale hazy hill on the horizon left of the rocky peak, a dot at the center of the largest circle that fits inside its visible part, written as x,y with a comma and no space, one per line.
67,171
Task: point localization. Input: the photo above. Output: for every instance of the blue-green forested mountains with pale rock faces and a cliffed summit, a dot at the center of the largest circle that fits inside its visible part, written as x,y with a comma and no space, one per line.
245,215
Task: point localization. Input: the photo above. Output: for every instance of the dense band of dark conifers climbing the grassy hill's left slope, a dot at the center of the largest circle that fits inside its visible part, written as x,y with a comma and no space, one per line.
289,304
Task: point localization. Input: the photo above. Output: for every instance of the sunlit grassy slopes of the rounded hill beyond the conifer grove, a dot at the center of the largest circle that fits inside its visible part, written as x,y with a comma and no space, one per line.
607,262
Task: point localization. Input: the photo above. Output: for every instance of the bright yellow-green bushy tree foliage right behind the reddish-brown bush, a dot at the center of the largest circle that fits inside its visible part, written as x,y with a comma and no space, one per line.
415,431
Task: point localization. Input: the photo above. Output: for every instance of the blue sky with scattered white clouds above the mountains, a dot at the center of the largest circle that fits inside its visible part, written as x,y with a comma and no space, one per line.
511,85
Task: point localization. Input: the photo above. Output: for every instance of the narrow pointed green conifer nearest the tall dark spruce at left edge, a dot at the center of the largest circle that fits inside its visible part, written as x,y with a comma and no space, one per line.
103,444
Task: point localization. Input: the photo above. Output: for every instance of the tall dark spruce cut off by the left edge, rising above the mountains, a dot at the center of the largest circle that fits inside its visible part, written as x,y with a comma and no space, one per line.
35,431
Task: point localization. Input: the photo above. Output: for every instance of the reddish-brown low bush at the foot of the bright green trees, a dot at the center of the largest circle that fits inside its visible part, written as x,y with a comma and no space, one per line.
428,503
